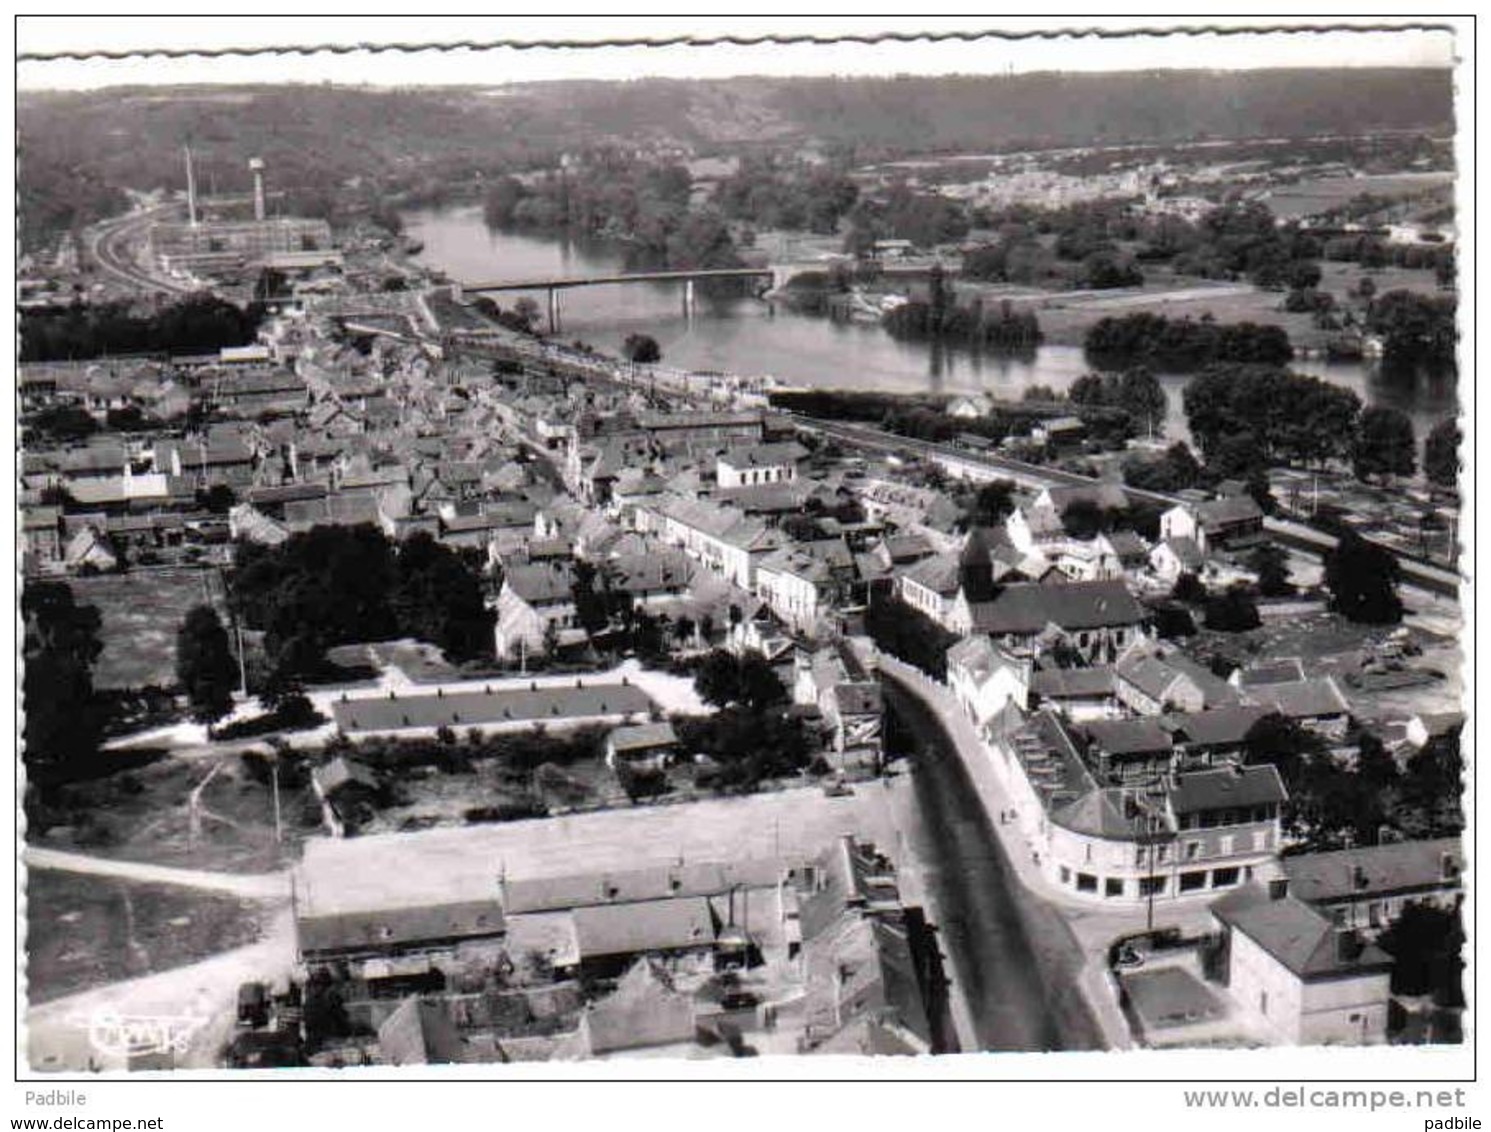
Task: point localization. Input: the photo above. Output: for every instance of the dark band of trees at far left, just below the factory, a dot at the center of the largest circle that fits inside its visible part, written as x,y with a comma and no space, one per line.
198,324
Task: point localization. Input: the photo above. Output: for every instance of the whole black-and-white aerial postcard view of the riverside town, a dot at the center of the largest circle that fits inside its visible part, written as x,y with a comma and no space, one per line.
758,566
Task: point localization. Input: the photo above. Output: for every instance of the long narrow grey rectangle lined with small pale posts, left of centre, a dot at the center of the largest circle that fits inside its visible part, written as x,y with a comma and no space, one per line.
493,711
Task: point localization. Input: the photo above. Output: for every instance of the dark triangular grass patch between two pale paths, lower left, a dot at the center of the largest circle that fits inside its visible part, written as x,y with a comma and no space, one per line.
86,931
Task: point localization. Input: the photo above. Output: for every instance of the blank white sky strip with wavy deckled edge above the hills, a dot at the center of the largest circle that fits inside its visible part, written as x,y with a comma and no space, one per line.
500,66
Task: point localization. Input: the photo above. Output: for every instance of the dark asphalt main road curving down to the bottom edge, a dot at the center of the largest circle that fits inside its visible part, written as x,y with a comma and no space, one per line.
1015,957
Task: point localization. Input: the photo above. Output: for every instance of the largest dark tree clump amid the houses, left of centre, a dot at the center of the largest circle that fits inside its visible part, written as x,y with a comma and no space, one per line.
336,585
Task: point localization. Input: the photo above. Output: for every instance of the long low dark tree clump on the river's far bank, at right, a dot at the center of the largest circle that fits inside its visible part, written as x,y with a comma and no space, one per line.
1147,339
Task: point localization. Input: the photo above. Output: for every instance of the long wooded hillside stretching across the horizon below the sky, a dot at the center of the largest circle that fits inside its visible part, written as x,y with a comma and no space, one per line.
332,150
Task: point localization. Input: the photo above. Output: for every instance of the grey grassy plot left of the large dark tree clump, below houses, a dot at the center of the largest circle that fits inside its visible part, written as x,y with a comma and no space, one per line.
141,615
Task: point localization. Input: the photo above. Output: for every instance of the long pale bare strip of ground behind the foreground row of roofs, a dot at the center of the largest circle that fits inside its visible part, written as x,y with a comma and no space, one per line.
466,864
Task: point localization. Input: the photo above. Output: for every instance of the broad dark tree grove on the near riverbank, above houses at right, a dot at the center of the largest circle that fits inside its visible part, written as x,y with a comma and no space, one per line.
1264,415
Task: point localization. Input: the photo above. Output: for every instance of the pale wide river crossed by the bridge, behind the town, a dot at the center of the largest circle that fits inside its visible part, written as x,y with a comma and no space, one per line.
751,338
